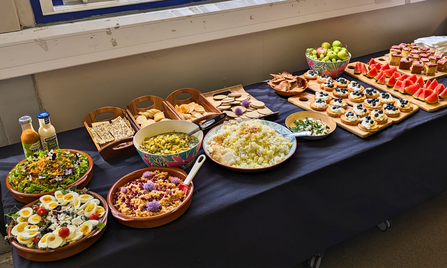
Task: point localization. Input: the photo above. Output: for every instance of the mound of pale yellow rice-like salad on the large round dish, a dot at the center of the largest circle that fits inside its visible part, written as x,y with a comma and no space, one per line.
248,144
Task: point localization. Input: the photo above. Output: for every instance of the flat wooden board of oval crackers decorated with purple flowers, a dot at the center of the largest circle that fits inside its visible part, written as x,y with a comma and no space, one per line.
237,103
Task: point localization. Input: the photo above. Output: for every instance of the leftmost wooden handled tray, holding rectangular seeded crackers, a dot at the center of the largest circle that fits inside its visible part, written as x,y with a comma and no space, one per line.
112,136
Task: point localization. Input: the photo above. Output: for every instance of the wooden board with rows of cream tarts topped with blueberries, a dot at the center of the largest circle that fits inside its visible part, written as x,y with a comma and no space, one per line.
362,111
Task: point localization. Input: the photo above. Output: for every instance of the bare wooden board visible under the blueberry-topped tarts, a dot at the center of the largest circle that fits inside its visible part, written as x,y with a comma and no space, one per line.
304,99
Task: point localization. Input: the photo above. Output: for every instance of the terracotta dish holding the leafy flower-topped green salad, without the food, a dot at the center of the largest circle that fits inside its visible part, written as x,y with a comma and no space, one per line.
81,182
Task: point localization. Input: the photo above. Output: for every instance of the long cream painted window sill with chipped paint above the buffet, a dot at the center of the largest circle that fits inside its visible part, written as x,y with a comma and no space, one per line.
53,47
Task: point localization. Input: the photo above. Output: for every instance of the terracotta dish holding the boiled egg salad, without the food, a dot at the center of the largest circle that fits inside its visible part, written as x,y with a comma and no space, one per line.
46,255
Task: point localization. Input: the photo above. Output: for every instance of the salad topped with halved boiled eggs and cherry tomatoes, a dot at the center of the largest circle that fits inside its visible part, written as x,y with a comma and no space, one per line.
58,219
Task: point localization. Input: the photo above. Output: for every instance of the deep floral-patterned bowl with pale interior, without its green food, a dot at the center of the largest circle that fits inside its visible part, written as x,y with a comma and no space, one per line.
180,160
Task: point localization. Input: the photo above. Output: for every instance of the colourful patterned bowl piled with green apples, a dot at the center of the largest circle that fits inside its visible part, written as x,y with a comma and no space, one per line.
331,59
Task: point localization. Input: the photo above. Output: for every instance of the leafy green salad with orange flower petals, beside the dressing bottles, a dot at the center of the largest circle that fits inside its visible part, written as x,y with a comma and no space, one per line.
47,171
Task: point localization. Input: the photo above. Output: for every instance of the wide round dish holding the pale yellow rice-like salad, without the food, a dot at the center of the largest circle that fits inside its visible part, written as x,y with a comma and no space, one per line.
279,128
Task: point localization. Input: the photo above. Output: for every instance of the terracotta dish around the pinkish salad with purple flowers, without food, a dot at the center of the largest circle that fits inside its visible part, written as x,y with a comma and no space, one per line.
154,221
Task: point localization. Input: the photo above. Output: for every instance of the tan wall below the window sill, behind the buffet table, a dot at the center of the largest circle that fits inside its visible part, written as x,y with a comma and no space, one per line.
70,94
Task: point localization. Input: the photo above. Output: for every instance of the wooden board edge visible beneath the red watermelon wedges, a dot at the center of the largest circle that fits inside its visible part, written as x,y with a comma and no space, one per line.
370,81
